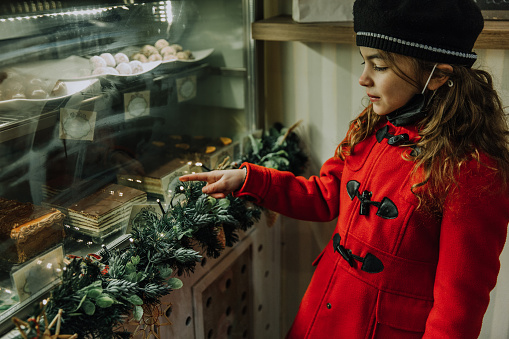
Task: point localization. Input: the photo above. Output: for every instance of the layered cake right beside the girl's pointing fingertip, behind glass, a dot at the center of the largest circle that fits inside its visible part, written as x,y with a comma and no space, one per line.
159,182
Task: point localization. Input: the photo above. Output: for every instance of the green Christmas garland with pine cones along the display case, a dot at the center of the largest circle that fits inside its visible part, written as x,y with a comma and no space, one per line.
99,293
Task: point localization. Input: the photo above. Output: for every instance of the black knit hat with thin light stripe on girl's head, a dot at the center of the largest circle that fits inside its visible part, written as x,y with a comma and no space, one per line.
434,30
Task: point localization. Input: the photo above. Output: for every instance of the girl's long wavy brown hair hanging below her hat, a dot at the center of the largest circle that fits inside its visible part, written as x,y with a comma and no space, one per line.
462,121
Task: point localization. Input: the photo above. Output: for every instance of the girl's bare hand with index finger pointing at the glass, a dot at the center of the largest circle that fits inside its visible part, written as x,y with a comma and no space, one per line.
219,183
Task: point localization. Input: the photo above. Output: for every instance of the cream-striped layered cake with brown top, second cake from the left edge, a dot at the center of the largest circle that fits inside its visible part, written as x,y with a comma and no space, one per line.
105,211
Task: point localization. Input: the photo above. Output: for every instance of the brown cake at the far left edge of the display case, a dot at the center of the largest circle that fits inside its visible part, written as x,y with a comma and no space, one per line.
27,230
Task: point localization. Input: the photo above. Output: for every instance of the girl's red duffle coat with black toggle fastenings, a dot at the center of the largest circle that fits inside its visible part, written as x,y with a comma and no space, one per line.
436,272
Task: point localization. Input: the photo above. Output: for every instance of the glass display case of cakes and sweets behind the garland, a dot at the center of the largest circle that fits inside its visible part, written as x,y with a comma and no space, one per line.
102,107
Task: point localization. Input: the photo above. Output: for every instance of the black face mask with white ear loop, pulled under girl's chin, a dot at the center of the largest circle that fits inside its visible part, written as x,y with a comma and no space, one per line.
413,110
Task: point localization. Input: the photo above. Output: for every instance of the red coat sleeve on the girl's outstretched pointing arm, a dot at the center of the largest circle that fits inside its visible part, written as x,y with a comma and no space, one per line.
313,199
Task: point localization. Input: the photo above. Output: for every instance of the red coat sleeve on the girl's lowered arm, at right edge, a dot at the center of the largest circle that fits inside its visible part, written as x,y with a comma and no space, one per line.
473,234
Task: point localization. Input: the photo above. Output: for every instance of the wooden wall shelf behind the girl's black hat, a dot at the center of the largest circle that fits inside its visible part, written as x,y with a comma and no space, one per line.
282,28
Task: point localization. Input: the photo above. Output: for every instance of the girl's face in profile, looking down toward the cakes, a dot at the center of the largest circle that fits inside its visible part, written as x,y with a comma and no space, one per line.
385,89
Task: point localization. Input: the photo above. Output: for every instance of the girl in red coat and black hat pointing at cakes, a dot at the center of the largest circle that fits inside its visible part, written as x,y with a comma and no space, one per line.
419,184
